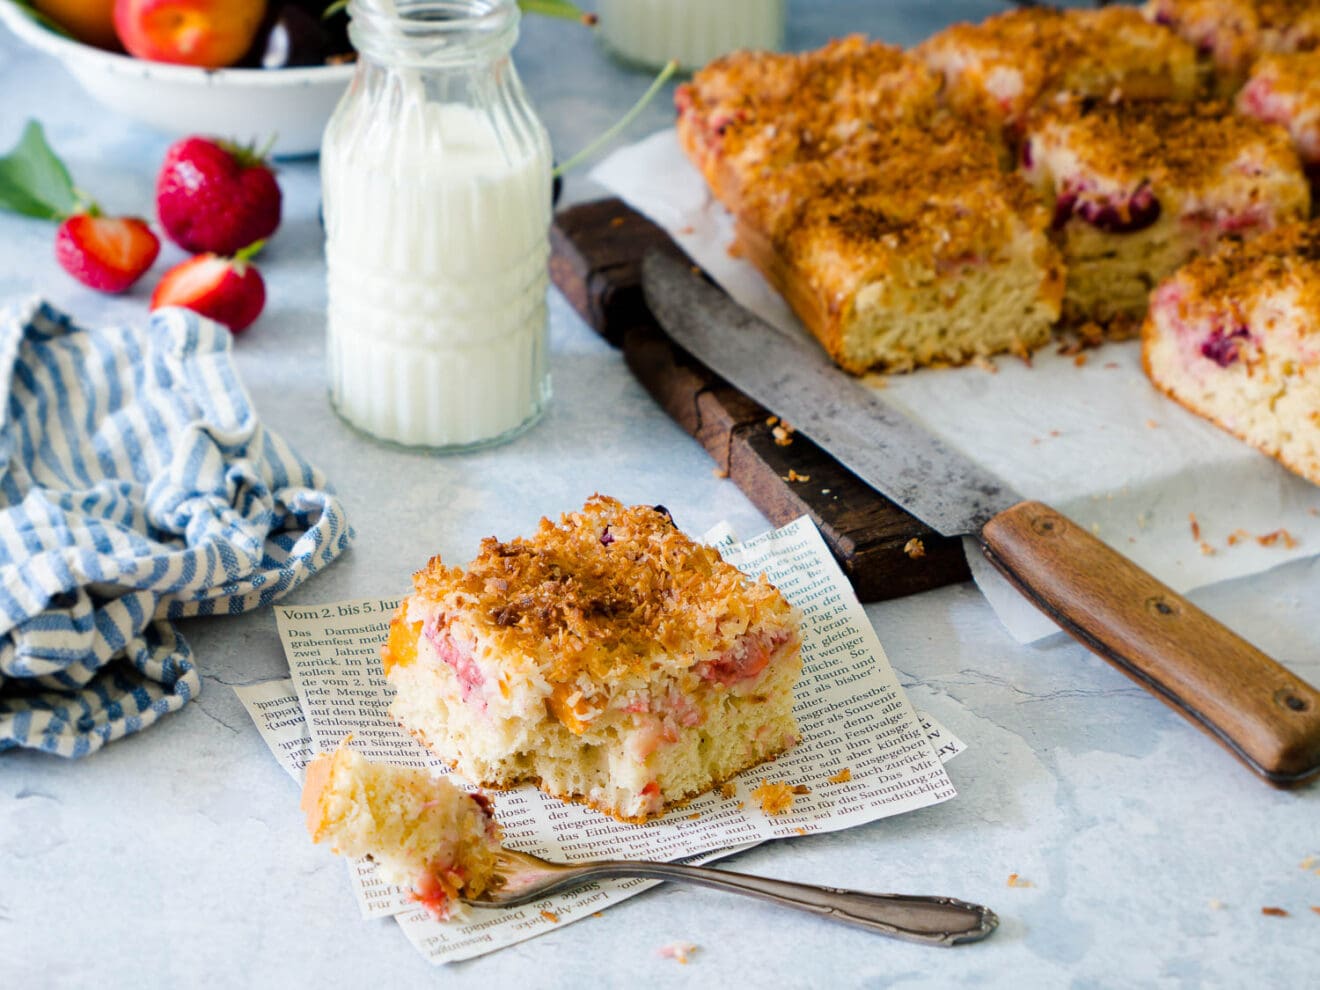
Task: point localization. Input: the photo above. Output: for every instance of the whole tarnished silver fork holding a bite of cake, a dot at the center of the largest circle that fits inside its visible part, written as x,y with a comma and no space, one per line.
522,878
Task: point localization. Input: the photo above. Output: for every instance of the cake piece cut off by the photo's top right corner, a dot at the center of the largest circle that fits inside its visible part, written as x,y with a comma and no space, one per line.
1231,35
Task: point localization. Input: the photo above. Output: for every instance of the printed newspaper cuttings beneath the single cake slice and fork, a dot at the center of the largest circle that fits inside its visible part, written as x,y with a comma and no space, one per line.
851,707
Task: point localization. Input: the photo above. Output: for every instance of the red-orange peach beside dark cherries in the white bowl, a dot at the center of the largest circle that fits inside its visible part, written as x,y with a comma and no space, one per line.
209,34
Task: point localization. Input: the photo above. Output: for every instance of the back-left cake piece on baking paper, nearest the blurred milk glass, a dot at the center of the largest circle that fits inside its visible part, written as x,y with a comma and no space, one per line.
754,112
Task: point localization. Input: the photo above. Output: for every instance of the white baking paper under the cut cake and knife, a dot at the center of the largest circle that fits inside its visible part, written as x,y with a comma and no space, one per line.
1094,440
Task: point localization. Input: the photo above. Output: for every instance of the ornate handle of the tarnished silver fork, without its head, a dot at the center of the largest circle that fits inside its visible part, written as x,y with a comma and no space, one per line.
918,919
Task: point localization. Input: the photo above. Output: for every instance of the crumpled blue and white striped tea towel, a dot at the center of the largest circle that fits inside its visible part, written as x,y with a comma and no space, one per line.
137,486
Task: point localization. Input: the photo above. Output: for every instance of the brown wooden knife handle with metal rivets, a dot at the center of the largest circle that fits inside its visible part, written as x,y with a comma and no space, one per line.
1261,712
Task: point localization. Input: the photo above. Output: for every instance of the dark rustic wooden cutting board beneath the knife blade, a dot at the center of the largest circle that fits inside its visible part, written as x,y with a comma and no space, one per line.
597,251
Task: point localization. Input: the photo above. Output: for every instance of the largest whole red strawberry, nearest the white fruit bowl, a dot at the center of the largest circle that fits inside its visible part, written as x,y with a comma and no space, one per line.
216,197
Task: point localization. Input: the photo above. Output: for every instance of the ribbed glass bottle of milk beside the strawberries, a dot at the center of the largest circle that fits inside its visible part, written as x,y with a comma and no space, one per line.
436,184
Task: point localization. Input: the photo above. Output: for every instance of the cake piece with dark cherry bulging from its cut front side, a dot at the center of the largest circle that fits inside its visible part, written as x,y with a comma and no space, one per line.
1138,189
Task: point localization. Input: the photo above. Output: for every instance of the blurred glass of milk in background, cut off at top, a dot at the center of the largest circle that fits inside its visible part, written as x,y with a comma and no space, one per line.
694,32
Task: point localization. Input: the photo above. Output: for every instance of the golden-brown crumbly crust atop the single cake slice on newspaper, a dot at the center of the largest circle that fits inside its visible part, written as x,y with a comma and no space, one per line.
609,593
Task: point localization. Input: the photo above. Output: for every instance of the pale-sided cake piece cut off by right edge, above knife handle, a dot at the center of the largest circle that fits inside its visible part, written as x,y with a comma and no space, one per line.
1236,339
